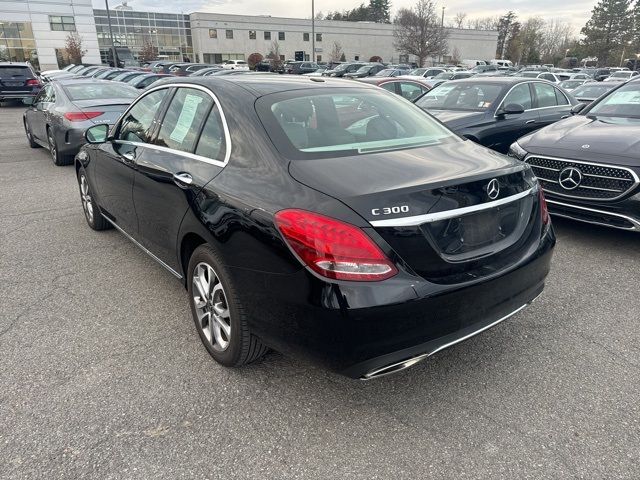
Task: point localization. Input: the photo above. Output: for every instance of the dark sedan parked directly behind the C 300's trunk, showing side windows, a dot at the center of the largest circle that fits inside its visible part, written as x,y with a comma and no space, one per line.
495,111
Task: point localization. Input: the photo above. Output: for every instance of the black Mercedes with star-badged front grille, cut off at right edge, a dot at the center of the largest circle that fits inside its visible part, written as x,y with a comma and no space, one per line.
589,164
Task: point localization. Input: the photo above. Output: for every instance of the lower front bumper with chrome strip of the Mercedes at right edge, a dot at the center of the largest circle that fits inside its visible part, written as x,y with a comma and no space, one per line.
623,215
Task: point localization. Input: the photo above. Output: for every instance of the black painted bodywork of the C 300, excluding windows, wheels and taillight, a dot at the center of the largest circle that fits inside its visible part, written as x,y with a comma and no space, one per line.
354,327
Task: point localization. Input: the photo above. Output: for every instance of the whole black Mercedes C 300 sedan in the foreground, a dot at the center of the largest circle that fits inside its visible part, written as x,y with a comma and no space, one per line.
323,218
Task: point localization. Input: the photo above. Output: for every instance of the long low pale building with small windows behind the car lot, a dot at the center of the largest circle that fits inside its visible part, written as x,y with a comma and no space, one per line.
219,37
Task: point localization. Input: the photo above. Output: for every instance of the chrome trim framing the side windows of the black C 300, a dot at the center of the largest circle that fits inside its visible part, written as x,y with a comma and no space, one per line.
193,156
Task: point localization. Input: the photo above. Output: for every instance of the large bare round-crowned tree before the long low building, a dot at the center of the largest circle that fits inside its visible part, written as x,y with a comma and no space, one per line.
418,32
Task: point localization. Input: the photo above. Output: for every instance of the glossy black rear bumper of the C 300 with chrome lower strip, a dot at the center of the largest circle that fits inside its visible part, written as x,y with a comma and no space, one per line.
364,330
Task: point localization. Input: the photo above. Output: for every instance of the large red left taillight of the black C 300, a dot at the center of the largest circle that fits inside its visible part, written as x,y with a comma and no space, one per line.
332,248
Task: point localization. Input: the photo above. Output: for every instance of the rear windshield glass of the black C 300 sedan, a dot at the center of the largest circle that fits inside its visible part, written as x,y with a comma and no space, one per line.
347,123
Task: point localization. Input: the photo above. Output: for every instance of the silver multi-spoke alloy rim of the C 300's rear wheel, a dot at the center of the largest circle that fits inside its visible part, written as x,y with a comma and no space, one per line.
211,307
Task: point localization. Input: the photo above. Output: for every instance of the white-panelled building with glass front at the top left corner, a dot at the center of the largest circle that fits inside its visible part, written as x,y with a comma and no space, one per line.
36,30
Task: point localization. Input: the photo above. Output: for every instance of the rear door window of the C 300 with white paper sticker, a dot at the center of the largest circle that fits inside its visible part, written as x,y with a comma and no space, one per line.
181,124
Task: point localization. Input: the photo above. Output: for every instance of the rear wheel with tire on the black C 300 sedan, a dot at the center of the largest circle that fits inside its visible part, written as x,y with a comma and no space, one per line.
218,315
